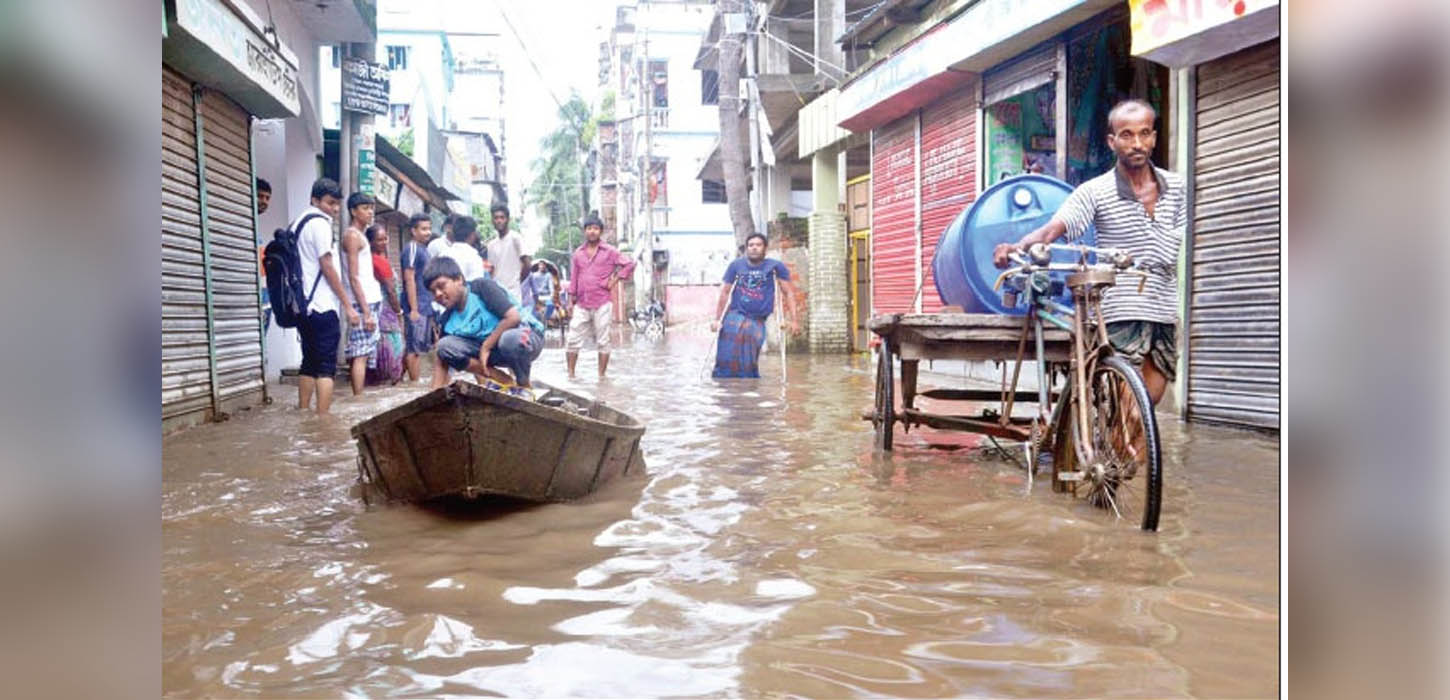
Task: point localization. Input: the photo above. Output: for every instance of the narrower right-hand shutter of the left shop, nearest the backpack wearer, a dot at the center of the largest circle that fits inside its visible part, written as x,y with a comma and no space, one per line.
236,283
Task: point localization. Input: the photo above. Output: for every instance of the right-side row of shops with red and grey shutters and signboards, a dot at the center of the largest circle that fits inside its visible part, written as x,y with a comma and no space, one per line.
956,96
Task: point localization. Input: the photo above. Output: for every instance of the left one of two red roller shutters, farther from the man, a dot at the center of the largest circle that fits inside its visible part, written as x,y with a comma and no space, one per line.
894,211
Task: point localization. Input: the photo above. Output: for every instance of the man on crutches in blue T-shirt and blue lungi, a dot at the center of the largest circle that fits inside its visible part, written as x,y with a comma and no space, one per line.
750,289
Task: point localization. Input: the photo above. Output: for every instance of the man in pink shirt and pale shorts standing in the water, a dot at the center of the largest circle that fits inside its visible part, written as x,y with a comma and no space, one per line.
594,272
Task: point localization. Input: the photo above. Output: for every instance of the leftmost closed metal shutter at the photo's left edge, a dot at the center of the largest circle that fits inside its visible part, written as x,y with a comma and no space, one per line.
186,385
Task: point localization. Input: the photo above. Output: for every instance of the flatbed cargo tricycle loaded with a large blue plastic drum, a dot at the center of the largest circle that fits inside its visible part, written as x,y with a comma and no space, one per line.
1090,417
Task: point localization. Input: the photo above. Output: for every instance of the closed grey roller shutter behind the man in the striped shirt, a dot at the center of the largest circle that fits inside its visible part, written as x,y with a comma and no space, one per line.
1233,330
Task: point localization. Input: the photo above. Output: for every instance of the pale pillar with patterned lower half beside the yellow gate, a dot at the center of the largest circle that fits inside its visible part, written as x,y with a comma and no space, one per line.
829,295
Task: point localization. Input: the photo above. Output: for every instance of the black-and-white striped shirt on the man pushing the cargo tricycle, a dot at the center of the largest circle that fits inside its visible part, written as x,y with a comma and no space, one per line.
1107,204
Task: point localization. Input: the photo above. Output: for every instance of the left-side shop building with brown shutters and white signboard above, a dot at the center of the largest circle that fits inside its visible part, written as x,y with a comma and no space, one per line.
239,102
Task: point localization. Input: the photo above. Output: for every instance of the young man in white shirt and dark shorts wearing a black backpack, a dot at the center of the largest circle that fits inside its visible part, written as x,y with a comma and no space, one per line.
298,262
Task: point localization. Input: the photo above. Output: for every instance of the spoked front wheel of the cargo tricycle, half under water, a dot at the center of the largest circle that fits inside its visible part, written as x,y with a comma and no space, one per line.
1124,438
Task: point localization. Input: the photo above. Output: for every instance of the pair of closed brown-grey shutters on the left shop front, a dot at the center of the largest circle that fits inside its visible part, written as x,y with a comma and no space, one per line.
211,334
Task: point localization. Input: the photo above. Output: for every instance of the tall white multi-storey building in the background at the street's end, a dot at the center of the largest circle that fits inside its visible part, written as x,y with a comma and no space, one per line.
666,122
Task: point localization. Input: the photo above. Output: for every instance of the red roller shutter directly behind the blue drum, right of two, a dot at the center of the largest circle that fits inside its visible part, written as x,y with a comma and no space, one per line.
949,179
